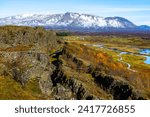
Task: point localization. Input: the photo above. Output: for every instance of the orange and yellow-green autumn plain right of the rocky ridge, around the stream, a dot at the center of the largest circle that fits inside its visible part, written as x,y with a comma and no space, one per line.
107,60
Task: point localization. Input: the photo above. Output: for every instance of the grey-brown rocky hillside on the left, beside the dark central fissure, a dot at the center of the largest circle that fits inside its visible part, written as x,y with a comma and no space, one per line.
24,59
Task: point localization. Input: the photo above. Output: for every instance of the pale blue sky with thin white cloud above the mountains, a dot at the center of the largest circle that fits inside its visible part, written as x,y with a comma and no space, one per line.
137,11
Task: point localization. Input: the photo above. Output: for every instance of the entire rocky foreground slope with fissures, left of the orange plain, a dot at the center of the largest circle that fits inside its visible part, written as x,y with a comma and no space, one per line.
36,64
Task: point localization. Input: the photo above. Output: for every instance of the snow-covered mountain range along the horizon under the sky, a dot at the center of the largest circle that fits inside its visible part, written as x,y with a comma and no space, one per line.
74,21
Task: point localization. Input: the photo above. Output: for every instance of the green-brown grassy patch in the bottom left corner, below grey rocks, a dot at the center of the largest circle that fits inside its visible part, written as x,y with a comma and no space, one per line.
12,90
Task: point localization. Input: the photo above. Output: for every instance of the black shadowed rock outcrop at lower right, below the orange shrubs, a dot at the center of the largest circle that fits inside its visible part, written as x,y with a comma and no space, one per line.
117,87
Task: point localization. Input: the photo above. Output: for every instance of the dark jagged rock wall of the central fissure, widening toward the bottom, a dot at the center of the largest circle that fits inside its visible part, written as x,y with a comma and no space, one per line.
71,88
